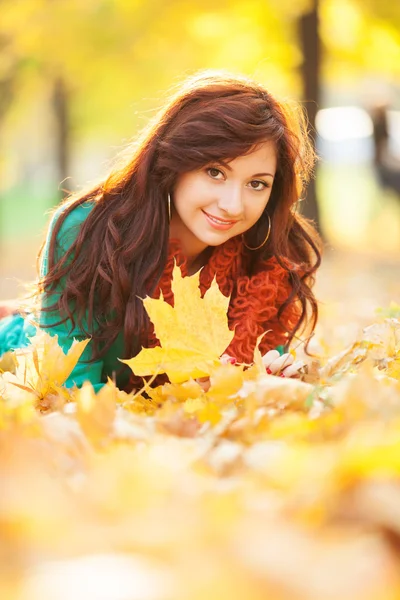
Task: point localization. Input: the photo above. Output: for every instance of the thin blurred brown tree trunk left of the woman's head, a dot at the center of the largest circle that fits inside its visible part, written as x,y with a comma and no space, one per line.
60,100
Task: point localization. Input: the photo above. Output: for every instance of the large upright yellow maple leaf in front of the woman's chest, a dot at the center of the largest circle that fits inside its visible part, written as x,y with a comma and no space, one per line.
193,334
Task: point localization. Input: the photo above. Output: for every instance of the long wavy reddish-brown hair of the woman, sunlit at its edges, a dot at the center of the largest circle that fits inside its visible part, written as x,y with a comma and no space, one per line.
121,249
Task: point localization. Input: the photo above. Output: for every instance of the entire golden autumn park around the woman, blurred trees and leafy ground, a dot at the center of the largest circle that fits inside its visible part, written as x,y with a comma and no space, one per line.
290,492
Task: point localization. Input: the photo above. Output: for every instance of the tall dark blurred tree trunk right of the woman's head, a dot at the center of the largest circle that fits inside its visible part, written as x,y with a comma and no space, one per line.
310,68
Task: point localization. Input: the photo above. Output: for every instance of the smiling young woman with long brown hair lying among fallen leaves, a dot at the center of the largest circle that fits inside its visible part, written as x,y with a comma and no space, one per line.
213,184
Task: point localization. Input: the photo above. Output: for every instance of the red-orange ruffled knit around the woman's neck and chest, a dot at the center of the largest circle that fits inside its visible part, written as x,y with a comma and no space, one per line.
254,300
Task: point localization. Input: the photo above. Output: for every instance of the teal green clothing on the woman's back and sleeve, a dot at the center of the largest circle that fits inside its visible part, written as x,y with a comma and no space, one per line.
16,331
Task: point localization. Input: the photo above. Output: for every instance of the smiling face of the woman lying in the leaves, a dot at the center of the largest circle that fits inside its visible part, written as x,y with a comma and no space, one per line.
222,200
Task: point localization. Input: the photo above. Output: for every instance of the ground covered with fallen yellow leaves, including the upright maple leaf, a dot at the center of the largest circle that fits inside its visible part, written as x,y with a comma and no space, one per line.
260,487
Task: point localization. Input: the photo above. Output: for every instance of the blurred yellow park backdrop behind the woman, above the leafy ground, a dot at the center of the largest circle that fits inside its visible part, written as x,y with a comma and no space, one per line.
80,79
